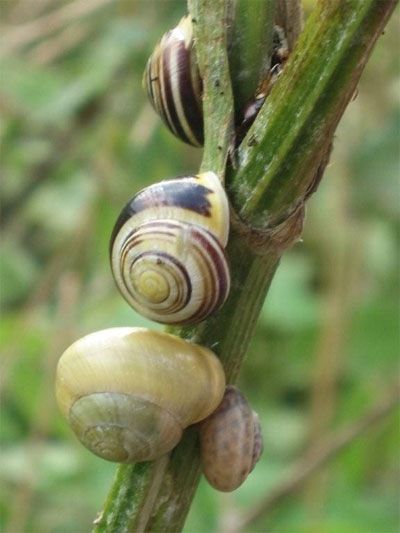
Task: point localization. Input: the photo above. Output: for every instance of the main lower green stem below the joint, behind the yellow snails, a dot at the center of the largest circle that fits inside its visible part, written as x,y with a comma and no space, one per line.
228,333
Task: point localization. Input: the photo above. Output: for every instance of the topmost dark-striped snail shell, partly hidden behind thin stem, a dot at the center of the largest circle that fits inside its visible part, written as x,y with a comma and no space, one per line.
173,84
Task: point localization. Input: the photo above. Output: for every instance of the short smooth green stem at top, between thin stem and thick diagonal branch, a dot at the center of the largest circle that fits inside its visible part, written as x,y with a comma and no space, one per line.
250,47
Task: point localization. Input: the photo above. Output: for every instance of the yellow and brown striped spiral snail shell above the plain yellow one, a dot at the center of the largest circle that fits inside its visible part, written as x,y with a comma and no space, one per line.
167,249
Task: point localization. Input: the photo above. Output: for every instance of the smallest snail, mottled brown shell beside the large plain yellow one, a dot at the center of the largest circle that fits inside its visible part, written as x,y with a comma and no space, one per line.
230,441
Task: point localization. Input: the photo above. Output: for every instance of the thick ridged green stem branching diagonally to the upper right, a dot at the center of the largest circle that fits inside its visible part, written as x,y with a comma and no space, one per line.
281,152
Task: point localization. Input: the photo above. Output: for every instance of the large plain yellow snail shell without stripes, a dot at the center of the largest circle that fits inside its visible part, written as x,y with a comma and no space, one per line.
128,393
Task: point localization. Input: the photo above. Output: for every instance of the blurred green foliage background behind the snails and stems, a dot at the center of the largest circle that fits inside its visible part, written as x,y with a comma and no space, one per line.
78,140
